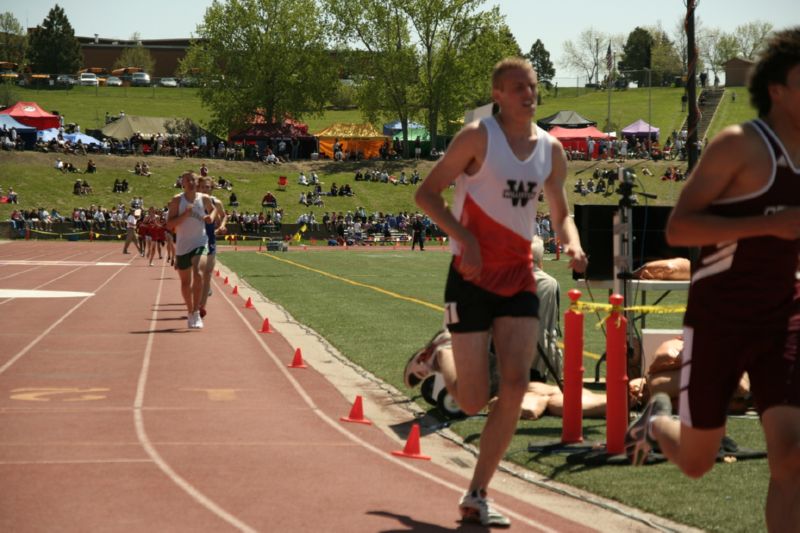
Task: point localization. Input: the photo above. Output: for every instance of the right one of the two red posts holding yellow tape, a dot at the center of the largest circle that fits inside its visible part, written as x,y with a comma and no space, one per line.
616,377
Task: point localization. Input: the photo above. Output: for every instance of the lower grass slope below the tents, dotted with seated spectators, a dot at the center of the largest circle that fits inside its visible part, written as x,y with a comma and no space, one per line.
34,178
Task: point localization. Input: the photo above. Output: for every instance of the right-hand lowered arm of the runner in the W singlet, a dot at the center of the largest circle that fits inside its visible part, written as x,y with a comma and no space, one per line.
562,222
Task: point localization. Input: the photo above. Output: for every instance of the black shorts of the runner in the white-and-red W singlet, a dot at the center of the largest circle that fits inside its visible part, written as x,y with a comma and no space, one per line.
469,308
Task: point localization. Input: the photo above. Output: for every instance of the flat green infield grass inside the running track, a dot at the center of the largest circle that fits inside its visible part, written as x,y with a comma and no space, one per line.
379,332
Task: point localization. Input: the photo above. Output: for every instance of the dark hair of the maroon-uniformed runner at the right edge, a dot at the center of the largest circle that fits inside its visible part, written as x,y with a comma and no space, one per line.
780,55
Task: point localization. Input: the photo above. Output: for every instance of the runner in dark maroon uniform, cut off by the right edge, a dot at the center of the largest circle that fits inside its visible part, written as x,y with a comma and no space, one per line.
742,206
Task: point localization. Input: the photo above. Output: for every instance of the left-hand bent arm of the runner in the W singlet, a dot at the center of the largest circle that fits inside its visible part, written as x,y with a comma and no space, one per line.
465,155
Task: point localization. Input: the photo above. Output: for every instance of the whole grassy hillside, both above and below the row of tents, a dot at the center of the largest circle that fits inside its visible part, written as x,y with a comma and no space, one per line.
38,184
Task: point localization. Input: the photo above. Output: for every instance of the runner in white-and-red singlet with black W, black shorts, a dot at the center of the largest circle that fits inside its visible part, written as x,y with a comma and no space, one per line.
499,165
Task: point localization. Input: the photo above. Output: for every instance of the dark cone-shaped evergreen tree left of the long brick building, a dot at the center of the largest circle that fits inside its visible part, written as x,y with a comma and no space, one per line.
52,46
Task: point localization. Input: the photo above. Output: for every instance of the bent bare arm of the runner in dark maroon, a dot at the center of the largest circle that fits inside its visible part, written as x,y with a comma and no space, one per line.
736,163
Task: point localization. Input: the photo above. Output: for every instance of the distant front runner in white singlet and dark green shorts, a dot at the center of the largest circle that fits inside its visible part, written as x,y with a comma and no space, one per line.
189,212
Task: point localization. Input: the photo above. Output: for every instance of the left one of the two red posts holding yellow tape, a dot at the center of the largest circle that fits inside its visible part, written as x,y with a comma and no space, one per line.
572,425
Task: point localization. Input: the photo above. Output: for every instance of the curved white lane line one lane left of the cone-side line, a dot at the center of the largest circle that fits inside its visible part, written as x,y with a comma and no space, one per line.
141,434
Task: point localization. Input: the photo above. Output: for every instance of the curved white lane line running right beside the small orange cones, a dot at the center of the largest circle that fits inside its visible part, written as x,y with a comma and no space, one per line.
335,424
